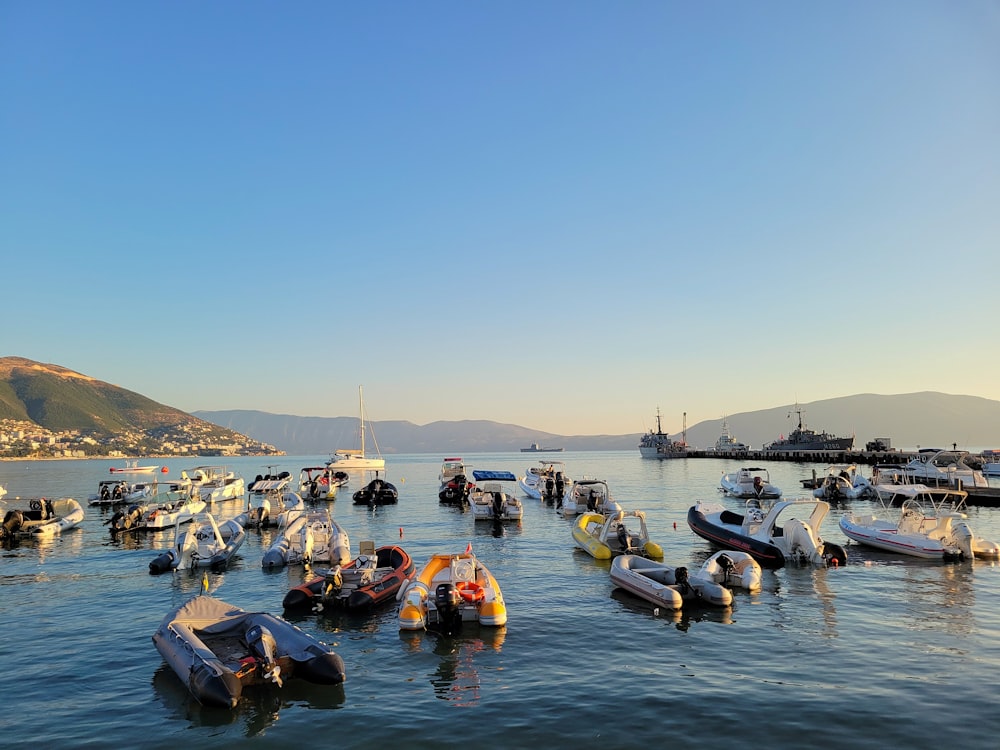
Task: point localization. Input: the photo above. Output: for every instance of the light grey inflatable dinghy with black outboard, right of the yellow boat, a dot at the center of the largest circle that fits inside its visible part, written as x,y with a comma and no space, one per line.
665,585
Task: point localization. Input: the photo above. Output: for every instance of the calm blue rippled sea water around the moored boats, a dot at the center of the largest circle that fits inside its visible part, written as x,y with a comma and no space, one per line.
884,652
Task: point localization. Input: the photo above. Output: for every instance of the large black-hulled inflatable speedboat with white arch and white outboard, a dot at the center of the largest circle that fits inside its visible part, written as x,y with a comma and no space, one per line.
771,533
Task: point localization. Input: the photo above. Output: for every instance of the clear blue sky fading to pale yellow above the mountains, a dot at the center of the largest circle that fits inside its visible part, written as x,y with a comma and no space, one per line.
558,214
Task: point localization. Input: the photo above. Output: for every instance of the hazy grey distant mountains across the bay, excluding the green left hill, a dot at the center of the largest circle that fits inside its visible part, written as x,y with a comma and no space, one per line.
925,419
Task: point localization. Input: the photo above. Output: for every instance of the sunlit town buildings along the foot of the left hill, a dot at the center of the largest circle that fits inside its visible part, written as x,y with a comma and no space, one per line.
23,439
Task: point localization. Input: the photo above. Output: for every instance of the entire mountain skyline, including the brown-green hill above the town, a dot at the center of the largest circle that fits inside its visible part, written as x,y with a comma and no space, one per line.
59,399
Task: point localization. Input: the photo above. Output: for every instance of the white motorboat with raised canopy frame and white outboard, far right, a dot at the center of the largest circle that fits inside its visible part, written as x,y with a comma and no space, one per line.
920,521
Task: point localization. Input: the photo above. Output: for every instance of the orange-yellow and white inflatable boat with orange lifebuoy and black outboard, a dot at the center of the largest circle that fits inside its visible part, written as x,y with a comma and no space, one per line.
451,590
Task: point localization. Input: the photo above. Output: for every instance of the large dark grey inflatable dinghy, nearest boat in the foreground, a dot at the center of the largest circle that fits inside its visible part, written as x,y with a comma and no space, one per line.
217,649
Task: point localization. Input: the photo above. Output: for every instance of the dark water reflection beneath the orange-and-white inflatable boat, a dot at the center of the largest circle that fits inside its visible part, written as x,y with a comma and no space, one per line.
456,677
